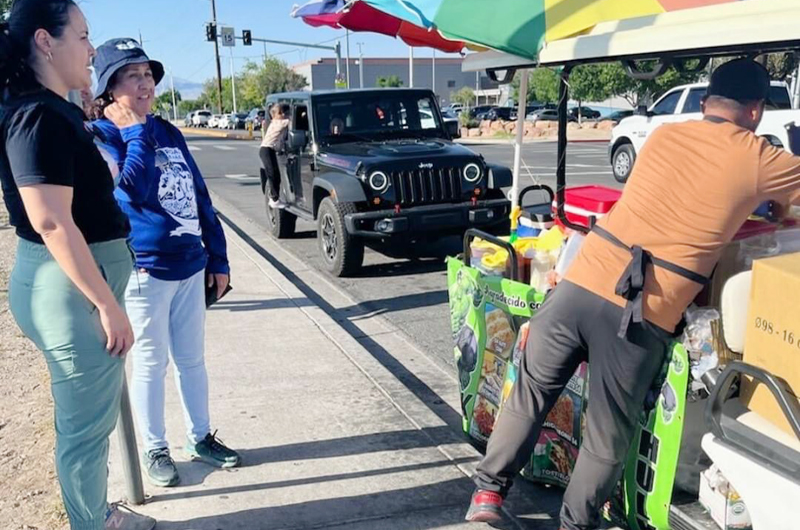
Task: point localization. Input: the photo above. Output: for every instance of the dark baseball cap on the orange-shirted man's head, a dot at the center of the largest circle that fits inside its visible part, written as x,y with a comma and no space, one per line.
742,80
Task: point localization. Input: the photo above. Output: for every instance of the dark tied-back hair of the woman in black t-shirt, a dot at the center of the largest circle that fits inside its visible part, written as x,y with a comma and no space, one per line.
16,39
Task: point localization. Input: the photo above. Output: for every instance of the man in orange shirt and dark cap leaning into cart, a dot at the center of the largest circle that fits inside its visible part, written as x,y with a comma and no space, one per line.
619,304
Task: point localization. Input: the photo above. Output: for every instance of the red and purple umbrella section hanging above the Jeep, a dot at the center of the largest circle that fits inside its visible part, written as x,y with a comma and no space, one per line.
360,16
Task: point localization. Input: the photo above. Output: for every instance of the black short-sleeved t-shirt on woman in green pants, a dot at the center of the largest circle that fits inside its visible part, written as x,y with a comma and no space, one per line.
46,142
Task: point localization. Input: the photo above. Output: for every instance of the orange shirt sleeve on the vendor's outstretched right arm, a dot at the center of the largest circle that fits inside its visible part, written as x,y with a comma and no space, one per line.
779,174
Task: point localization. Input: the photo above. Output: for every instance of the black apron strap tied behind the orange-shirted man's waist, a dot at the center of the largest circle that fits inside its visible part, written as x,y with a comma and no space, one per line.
631,284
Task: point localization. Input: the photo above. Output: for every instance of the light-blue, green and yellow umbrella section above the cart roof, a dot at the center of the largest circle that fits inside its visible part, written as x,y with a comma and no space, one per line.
522,27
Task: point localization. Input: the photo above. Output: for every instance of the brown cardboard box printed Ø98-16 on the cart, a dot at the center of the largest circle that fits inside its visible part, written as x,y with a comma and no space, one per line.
772,337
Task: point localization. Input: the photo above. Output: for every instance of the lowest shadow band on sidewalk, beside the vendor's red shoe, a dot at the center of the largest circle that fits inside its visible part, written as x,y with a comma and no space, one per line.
419,508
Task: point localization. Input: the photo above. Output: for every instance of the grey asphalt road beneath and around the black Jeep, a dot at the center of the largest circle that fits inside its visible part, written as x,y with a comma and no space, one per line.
411,293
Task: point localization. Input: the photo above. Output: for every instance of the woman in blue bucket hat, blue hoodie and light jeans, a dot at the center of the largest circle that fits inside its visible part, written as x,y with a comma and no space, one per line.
180,249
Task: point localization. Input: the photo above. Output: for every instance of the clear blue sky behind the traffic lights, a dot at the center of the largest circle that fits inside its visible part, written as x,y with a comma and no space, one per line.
173,32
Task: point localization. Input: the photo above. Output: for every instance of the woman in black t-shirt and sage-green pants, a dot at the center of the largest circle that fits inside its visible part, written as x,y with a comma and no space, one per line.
72,264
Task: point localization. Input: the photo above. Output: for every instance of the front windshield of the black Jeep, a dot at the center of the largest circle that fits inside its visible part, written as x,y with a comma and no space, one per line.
373,116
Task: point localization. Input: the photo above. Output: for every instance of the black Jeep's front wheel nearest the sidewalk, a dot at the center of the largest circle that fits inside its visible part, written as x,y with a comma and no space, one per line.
342,254
